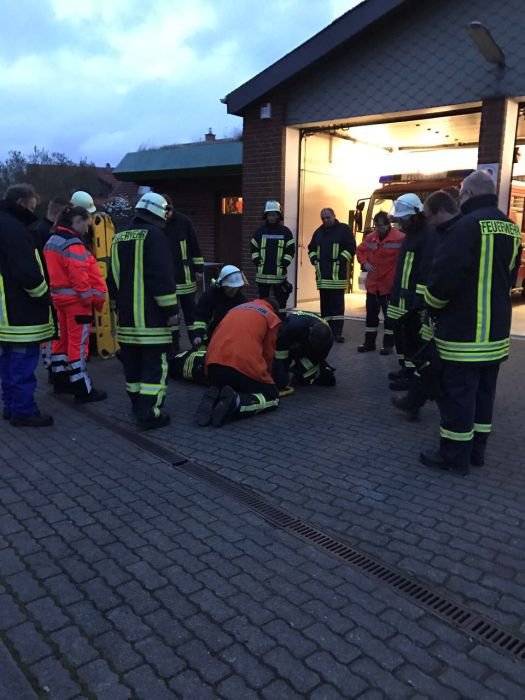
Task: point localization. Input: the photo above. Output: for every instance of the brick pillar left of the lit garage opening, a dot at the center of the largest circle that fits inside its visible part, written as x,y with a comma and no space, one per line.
263,170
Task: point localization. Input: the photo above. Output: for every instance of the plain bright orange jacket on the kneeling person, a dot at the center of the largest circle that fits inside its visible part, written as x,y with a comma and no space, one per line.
245,340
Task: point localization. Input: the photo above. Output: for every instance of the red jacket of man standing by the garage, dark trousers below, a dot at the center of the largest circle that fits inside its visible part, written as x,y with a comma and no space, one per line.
382,255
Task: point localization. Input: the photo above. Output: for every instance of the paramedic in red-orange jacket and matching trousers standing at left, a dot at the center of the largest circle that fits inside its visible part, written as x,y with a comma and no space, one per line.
76,287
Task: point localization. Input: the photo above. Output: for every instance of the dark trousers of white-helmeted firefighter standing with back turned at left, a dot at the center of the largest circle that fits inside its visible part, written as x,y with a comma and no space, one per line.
146,372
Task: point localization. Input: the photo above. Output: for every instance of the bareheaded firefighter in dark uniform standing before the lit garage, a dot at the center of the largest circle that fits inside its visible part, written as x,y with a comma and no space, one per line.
331,249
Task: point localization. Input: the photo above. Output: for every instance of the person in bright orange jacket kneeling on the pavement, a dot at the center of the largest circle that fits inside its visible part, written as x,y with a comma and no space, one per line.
239,364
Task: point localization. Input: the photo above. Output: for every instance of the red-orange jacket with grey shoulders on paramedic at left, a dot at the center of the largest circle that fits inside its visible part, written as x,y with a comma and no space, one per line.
74,277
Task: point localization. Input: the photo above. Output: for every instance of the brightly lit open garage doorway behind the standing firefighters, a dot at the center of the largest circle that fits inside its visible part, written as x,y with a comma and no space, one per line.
341,167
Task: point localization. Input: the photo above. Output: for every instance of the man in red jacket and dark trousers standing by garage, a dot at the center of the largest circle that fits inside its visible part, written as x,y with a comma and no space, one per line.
377,255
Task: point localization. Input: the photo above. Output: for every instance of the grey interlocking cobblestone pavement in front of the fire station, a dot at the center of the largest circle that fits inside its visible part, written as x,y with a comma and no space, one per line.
121,576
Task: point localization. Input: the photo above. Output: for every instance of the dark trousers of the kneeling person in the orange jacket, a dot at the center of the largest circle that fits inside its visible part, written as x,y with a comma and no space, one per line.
253,397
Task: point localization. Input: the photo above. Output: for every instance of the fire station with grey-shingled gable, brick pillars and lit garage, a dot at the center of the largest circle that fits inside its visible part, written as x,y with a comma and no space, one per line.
400,90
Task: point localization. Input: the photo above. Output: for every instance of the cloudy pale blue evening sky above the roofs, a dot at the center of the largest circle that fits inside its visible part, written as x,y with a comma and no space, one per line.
99,78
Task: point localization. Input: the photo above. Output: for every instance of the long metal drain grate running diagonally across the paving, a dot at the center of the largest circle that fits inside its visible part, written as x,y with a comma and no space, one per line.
431,599
